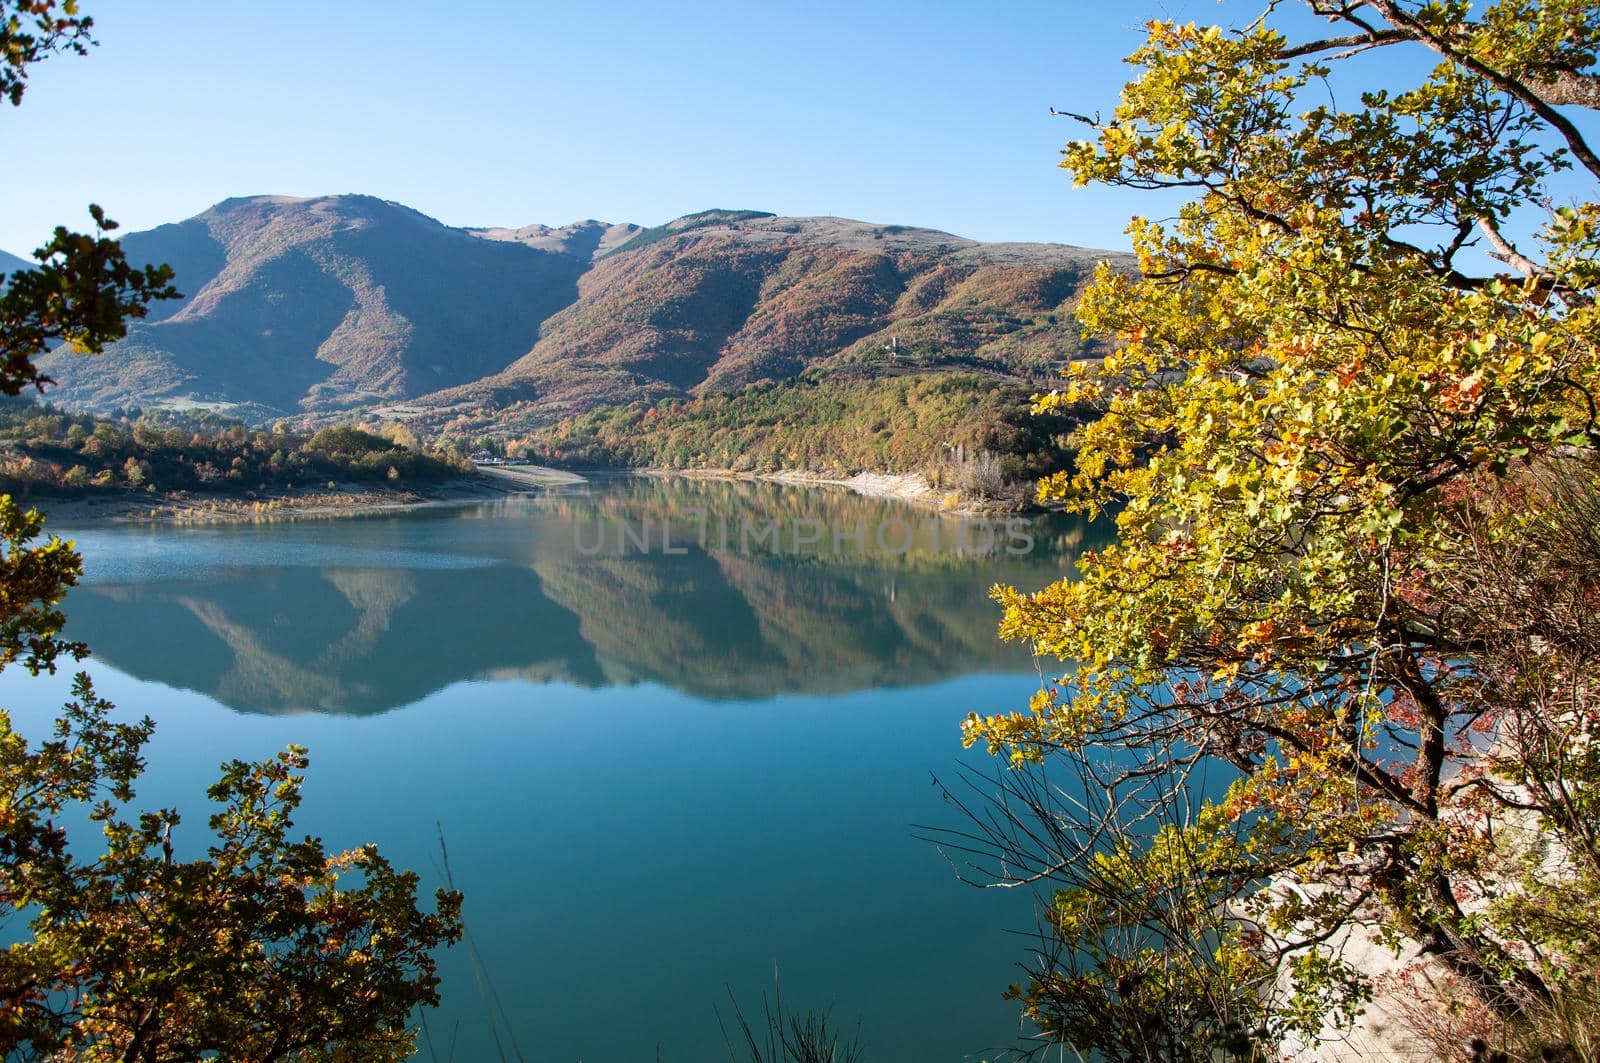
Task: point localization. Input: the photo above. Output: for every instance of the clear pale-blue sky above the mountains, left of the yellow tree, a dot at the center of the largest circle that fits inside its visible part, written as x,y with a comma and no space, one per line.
930,113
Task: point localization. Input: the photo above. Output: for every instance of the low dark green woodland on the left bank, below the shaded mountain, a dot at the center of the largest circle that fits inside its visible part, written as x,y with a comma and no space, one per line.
46,451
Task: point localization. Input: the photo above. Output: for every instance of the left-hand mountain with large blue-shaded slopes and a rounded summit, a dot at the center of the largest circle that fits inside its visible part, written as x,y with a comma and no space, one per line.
322,303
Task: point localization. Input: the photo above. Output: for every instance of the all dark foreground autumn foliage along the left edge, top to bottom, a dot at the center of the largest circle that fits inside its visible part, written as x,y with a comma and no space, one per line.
266,947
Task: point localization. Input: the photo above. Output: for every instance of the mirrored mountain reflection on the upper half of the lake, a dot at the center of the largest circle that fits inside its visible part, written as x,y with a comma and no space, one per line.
719,590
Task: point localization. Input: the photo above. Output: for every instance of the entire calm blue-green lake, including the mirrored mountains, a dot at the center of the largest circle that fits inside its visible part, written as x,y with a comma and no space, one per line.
674,734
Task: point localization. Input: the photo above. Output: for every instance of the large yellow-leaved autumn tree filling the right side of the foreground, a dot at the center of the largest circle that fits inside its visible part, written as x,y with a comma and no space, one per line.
1348,436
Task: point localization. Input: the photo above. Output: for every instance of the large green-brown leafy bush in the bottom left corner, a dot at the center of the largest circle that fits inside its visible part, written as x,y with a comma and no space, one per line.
266,949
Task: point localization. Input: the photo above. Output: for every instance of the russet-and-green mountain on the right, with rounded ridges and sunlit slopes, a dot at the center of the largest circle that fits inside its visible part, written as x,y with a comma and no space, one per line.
724,300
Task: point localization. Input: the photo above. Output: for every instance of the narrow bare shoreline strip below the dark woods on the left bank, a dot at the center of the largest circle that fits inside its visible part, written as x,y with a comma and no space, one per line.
345,500
